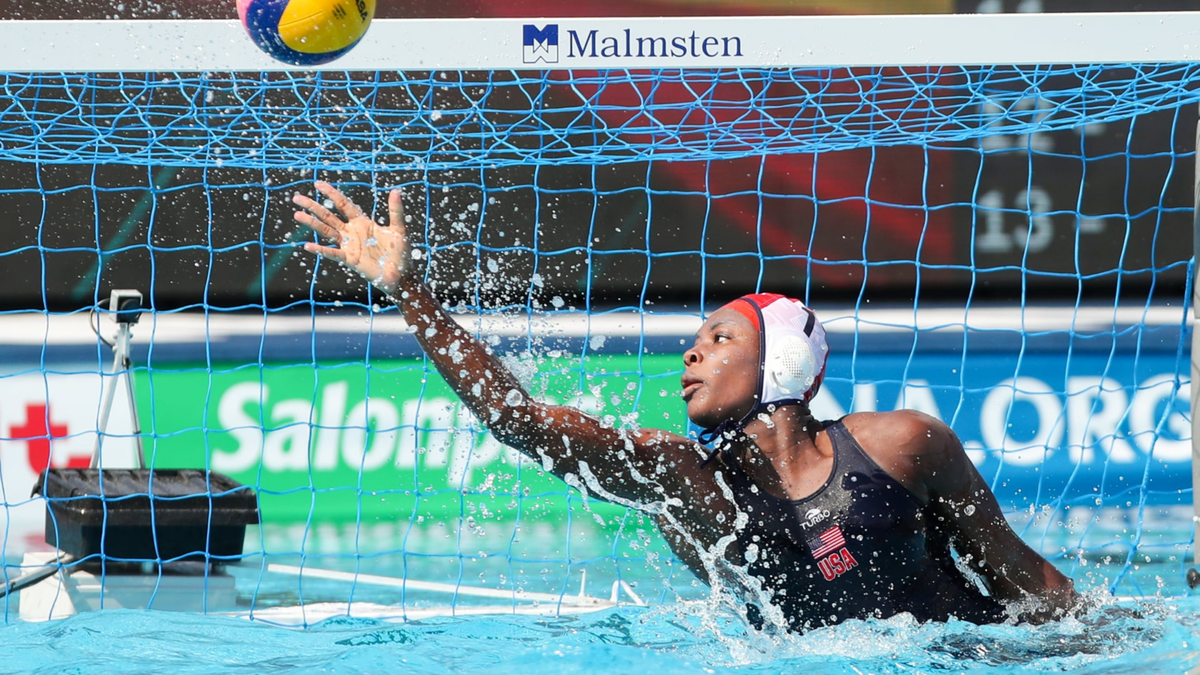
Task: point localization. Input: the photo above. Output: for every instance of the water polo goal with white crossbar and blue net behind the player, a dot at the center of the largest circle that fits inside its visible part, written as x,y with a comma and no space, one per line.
1004,247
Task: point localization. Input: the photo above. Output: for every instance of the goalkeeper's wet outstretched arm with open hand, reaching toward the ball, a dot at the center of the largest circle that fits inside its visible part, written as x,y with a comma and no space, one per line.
643,467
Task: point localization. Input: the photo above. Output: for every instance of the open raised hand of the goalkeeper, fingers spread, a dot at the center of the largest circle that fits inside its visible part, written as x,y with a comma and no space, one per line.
379,253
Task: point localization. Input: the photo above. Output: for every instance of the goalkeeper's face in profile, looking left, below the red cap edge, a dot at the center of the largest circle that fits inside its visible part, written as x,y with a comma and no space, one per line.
721,375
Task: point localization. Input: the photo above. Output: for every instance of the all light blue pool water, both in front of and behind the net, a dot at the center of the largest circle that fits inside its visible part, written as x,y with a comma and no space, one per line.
682,630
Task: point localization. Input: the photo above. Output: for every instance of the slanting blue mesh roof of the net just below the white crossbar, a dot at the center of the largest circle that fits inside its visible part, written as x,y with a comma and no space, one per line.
466,121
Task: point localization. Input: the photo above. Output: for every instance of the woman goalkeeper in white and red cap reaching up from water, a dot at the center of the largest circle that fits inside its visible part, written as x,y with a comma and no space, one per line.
835,521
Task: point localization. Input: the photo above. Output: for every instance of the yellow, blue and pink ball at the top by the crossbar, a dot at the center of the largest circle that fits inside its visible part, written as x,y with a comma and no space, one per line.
307,33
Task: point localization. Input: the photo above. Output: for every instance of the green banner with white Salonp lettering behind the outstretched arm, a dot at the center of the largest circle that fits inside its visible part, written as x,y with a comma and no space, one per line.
388,441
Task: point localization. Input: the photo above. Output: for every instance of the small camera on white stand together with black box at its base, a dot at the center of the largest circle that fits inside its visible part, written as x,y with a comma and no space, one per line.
116,521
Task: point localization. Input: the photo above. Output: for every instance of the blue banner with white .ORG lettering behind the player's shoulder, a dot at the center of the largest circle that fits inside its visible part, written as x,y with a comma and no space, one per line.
1093,428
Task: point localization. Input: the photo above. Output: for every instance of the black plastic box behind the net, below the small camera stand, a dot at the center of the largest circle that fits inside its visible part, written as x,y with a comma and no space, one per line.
191,513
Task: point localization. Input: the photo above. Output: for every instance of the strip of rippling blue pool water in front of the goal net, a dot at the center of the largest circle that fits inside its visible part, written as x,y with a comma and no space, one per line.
1145,637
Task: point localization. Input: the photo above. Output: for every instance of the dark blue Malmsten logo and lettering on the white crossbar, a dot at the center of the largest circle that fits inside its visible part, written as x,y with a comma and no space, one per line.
543,45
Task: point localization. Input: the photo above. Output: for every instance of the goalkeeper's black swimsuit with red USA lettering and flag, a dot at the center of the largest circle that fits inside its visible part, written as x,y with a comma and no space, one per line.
860,547
